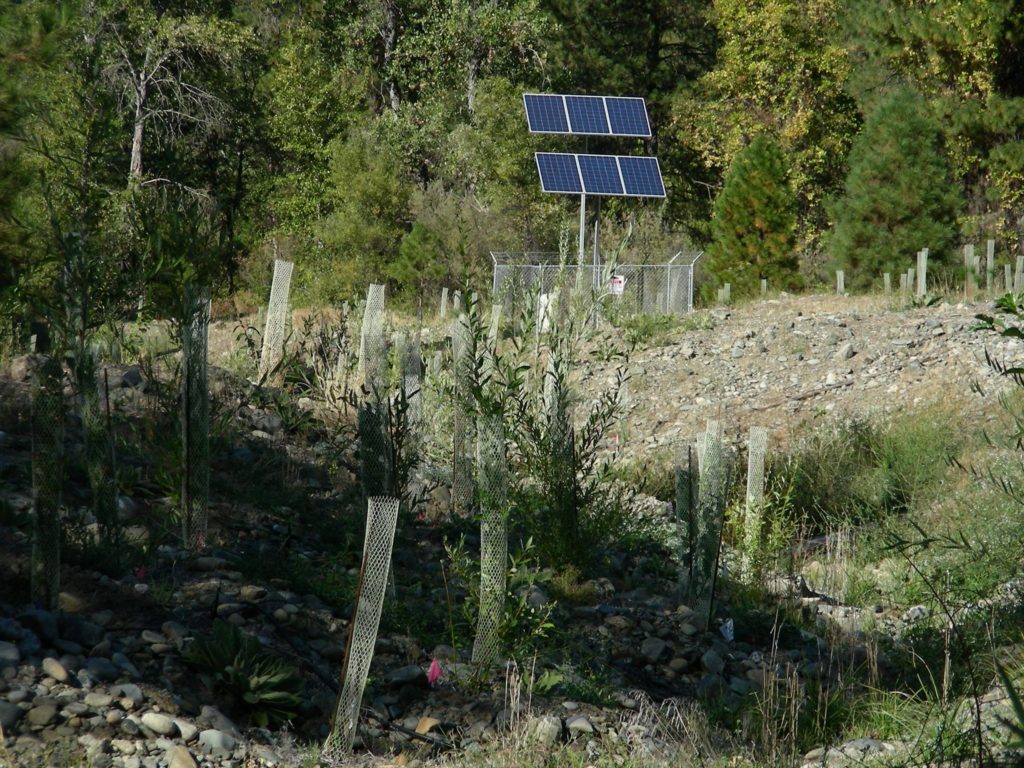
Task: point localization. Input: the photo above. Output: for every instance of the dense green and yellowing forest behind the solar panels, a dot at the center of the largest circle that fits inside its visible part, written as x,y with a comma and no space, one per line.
144,143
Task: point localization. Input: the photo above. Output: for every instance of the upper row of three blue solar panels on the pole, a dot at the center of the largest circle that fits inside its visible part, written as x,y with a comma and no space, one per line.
595,116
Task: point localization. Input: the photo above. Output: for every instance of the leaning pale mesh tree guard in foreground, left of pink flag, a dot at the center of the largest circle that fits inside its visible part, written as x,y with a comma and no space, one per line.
382,516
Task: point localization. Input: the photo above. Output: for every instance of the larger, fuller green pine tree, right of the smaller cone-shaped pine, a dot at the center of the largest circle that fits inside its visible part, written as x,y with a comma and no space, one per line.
900,197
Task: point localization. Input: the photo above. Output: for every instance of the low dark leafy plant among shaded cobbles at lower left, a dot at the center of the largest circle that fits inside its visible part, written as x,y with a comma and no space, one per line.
251,678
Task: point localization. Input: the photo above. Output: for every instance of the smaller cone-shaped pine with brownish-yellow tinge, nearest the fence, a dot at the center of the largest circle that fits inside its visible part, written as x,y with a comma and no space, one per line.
753,224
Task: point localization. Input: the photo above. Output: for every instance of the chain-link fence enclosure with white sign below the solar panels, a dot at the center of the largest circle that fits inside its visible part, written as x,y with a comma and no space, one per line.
628,289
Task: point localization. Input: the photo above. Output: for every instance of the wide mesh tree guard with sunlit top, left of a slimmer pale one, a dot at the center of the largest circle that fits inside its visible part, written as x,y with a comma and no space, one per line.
708,517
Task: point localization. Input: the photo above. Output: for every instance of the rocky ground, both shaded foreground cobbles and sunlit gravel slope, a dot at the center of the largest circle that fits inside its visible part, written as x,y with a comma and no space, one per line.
104,681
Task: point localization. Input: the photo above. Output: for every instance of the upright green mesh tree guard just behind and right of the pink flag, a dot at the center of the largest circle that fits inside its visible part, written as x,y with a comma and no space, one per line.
493,485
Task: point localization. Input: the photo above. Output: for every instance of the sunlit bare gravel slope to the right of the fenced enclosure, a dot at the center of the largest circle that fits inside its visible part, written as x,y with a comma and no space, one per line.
785,363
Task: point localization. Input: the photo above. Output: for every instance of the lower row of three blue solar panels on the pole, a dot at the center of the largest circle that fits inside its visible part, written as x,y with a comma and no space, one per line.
601,175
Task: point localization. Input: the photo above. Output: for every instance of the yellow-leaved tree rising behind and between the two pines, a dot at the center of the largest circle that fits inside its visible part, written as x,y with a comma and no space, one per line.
780,69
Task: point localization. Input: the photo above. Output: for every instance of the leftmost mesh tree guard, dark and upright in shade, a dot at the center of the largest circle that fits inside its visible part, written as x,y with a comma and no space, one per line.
48,479
